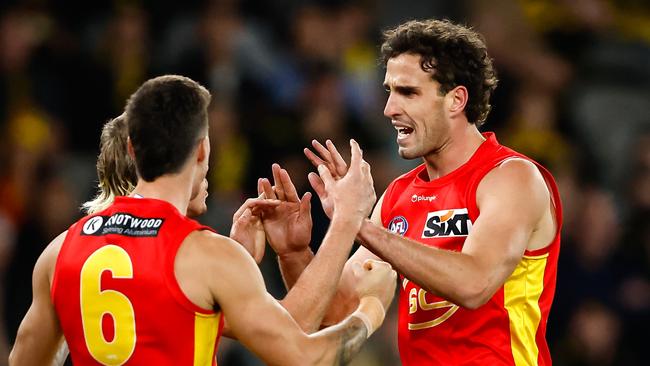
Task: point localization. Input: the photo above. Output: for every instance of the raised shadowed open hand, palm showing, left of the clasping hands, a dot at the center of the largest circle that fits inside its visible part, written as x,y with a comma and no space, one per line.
288,225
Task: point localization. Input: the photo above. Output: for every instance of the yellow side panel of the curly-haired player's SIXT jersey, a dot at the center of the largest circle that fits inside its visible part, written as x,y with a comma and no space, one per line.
521,294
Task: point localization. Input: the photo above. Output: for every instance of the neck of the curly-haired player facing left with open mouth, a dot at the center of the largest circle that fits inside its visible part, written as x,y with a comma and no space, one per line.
462,144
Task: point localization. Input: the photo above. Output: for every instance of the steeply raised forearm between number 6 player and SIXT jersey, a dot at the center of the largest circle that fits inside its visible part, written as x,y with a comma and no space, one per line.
310,297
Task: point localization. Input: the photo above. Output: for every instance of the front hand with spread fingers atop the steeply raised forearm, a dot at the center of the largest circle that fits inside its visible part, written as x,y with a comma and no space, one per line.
352,195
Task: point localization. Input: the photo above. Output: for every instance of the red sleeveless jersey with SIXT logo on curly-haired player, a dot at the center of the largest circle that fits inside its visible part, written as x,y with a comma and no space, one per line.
510,328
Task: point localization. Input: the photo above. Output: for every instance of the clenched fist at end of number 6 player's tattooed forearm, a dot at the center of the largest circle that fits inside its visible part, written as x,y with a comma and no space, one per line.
375,278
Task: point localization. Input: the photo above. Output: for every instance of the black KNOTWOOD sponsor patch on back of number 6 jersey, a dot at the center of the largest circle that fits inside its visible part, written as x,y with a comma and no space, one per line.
122,224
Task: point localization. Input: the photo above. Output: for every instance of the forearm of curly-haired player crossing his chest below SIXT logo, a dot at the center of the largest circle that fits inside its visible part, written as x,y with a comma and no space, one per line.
454,276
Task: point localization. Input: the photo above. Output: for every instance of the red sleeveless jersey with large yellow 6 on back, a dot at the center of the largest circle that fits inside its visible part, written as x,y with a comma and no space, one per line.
116,295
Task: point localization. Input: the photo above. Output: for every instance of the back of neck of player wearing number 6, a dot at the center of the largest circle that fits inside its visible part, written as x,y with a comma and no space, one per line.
173,188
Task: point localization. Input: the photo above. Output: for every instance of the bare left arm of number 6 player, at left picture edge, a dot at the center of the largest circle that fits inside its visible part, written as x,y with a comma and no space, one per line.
39,334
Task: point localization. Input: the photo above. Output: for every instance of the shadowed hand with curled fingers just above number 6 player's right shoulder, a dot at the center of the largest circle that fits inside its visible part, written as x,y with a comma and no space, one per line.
247,226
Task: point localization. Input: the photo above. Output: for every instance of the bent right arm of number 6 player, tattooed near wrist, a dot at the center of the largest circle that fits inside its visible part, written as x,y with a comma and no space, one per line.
259,321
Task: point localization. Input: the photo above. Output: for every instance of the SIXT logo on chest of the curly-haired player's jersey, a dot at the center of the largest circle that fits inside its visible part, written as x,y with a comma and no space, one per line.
445,223
